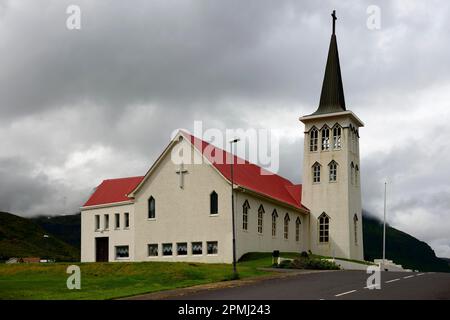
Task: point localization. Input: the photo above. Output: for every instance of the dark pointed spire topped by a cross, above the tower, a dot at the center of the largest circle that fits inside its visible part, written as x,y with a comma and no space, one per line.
332,96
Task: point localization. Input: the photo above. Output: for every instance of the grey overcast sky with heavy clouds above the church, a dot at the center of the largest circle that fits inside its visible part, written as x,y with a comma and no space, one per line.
79,106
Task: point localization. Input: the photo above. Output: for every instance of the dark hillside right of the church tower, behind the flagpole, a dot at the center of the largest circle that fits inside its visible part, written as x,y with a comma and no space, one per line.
401,247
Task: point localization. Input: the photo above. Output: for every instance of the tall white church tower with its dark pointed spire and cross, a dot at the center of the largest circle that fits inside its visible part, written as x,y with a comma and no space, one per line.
331,168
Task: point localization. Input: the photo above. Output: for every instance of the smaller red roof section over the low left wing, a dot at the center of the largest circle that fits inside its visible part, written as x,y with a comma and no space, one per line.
113,190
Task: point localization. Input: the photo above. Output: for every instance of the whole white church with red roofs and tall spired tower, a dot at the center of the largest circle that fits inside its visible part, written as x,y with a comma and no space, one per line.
183,211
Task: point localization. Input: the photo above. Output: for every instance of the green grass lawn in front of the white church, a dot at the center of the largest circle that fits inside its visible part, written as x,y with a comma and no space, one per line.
119,279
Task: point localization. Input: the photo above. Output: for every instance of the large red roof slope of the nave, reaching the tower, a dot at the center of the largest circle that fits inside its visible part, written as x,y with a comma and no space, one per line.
249,175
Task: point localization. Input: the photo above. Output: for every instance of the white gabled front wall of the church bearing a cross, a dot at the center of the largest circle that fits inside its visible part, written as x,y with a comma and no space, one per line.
183,214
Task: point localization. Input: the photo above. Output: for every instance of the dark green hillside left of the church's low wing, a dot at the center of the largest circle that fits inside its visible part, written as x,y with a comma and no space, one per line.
21,237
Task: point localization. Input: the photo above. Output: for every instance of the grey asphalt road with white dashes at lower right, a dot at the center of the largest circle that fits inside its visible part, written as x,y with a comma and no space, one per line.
336,285
